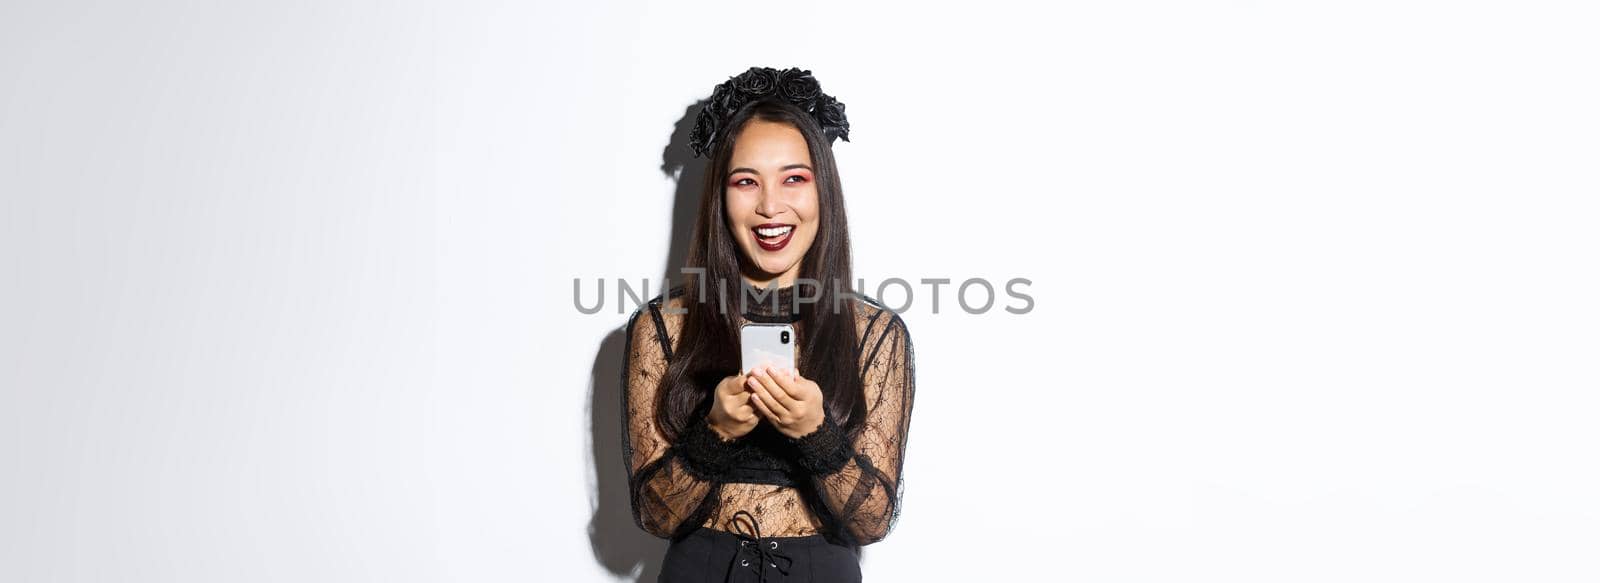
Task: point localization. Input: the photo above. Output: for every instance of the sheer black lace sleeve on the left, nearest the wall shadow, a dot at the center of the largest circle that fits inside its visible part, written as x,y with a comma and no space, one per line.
671,488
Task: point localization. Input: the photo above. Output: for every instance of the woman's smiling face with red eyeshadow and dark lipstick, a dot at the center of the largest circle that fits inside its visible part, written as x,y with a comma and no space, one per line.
770,193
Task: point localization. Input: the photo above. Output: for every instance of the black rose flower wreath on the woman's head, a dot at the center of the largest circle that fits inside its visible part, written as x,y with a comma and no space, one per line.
794,86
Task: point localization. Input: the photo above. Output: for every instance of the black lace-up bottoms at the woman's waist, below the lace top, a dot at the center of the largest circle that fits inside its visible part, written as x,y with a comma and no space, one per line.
710,555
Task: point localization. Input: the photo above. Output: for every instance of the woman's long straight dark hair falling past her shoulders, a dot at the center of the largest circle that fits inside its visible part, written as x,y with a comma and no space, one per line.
708,345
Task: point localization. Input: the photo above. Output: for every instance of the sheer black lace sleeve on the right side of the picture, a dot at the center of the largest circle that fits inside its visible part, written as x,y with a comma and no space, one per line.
860,476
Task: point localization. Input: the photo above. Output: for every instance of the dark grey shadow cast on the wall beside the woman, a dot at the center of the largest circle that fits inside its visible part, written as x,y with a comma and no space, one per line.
618,544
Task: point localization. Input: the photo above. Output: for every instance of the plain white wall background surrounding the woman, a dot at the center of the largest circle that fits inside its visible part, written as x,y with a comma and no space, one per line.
289,286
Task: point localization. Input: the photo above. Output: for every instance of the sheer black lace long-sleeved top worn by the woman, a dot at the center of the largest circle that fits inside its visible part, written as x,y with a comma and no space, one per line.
839,484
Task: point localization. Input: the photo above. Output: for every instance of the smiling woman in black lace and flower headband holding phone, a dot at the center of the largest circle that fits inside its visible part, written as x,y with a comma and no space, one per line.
770,475
